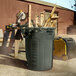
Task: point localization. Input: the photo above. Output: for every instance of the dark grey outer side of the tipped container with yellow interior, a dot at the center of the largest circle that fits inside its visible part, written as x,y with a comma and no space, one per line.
71,47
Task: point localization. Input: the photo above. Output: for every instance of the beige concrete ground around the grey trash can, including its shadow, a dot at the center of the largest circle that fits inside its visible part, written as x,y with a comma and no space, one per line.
9,66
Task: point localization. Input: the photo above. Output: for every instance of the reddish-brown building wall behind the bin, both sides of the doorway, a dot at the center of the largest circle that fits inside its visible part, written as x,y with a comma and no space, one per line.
9,9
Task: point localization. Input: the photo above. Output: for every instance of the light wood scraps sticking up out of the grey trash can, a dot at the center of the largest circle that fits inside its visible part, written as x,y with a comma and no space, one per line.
50,22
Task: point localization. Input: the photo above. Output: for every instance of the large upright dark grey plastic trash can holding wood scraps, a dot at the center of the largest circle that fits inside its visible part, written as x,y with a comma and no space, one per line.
39,48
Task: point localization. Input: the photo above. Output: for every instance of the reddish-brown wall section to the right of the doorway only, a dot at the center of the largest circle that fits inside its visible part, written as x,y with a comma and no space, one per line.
66,19
